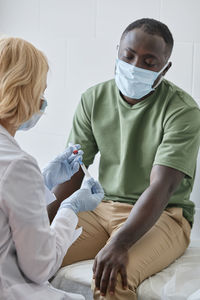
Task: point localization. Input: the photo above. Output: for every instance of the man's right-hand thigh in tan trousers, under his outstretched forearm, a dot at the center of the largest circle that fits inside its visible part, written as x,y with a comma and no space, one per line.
159,247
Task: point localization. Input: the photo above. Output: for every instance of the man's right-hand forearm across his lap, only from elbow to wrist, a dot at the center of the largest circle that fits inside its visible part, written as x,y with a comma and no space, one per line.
143,216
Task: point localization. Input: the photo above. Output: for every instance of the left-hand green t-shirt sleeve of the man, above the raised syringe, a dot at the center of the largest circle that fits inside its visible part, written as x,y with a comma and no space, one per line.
82,132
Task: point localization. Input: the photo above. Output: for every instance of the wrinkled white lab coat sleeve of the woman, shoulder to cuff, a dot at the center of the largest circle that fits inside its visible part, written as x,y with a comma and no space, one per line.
40,247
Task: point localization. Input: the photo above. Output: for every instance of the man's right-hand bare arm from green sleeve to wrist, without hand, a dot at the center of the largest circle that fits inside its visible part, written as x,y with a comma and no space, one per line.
163,183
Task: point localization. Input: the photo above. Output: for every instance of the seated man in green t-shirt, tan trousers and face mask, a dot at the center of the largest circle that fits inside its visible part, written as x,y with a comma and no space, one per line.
147,131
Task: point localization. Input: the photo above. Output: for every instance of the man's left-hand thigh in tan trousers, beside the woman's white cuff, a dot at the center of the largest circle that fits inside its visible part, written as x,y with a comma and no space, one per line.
92,239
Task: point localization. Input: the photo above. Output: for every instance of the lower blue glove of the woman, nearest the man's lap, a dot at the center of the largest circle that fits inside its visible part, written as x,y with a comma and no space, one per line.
87,198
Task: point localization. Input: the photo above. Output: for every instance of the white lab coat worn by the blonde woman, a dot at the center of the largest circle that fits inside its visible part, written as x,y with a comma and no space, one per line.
31,250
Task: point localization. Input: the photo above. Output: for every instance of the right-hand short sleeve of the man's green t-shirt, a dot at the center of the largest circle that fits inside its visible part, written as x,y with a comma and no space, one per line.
179,146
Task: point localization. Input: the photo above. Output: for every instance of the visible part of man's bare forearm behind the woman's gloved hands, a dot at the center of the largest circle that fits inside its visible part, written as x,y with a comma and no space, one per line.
64,190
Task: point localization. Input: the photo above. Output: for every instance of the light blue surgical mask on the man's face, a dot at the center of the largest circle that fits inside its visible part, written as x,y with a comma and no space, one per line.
135,82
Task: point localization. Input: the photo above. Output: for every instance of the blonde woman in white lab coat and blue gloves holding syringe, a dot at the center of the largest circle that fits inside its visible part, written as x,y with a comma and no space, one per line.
31,250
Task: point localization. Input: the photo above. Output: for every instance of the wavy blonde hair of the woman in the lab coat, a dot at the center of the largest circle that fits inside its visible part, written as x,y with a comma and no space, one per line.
23,74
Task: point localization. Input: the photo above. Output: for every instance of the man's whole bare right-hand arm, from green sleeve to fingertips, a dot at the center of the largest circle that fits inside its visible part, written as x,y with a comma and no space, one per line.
113,258
